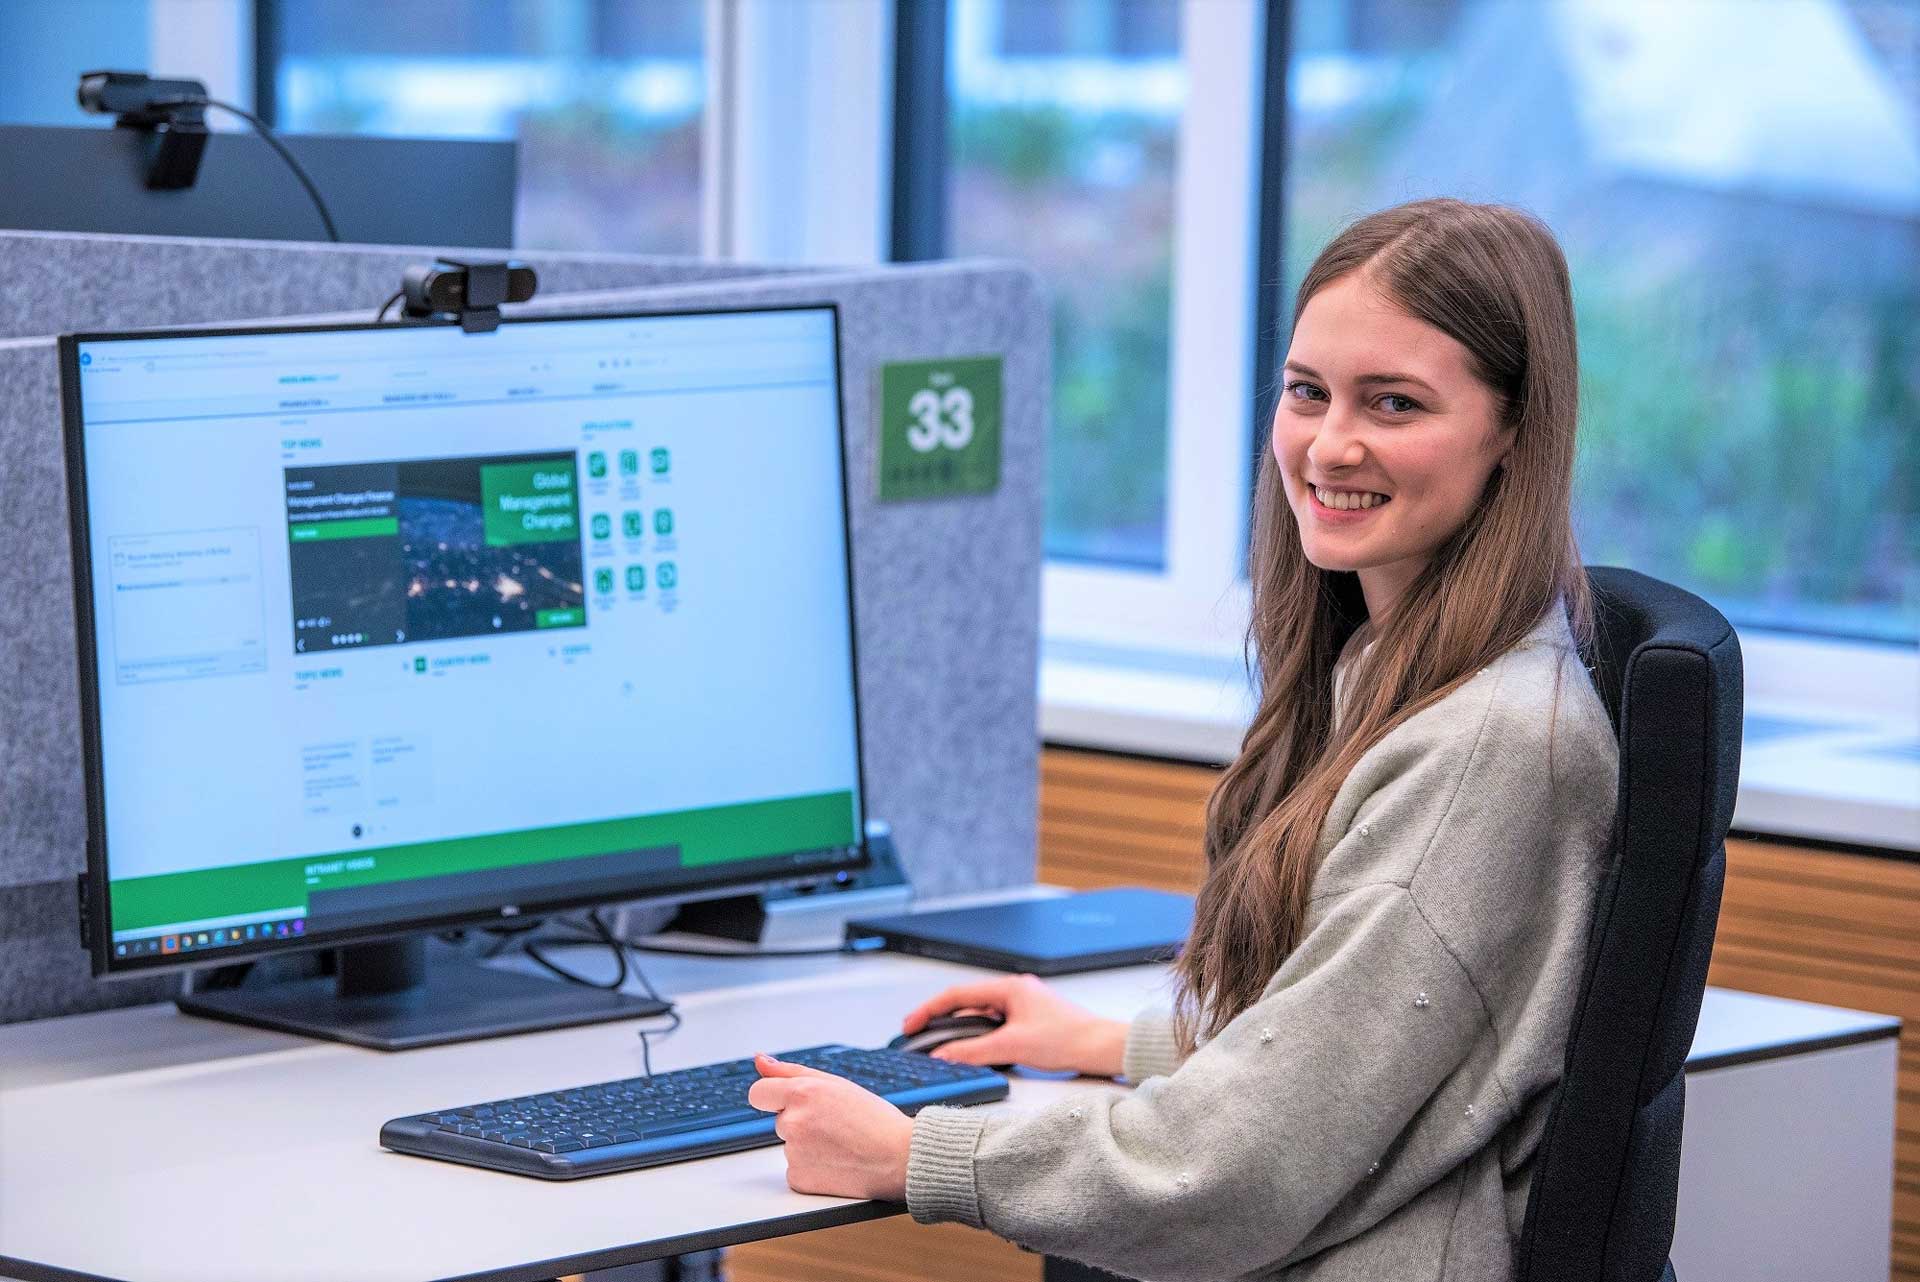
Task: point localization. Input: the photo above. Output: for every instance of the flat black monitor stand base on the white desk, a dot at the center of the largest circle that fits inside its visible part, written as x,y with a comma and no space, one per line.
412,993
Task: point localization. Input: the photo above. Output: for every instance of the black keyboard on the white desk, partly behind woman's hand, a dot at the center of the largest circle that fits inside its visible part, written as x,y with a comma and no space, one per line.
646,1122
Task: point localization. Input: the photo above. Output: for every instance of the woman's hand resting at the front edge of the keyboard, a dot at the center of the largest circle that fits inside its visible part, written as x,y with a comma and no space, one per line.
842,1139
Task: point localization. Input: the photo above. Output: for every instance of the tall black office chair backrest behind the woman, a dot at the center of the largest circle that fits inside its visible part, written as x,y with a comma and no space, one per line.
1608,1172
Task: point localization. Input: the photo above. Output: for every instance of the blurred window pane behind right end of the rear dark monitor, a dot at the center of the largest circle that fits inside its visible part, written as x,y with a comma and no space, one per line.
606,99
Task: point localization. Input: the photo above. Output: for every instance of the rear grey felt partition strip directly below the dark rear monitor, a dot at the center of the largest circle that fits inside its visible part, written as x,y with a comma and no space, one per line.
64,283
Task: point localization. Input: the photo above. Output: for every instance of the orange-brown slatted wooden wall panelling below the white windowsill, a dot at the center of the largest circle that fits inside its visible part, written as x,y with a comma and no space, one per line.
1804,924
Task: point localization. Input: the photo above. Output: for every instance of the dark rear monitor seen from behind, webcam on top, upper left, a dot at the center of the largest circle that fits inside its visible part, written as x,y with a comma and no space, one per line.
381,191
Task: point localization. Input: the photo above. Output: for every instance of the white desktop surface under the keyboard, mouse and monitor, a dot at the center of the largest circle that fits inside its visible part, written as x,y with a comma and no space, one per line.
158,1147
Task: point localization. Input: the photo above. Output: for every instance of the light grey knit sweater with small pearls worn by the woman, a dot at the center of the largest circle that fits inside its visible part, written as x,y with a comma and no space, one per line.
1376,1114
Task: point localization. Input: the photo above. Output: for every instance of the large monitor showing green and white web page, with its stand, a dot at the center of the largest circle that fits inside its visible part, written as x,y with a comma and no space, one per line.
389,630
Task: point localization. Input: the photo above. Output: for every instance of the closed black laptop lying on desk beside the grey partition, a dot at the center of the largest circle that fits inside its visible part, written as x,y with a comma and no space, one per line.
1061,936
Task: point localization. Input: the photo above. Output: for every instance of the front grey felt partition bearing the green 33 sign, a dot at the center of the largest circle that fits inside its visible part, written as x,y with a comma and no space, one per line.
948,598
